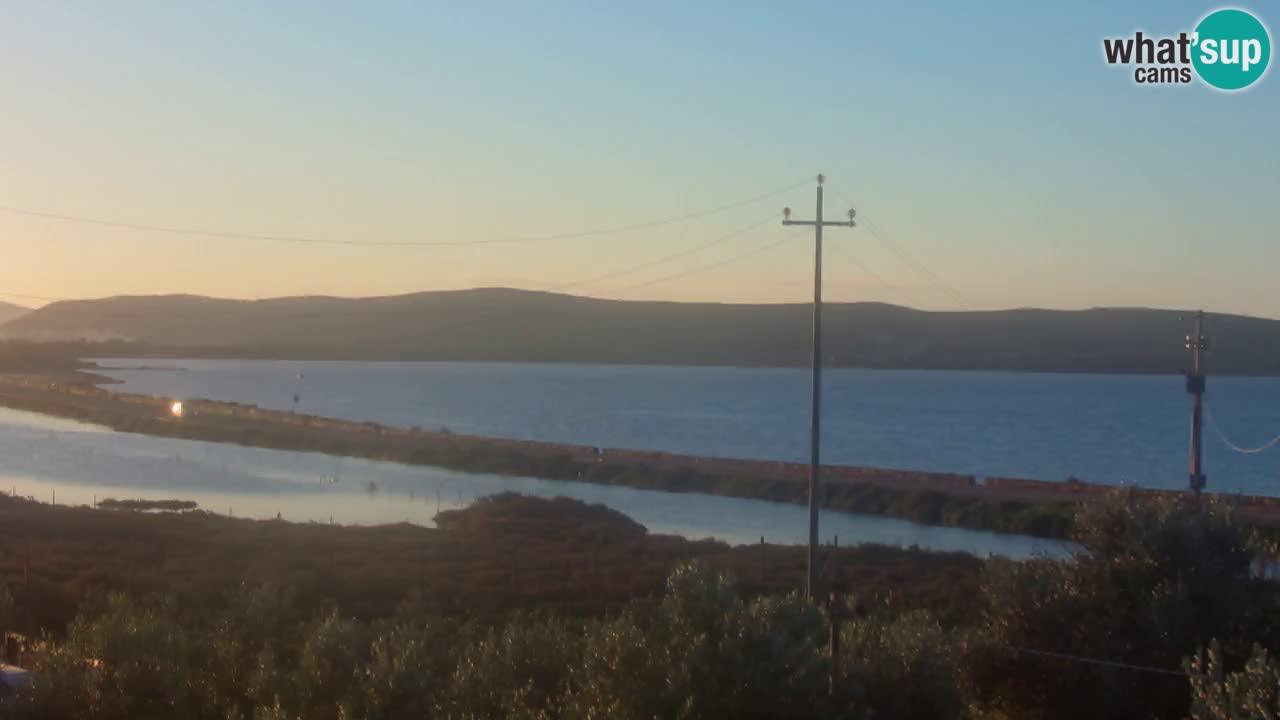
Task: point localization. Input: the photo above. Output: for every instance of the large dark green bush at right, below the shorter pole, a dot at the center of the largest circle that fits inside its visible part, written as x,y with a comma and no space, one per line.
1153,581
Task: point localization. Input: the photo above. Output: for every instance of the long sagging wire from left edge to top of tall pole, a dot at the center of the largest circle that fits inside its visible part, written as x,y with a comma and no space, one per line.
202,233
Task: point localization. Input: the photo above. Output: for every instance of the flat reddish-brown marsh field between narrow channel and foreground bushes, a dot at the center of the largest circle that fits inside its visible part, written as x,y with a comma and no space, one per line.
502,554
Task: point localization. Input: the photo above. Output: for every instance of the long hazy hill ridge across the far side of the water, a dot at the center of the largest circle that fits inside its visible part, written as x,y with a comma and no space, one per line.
499,325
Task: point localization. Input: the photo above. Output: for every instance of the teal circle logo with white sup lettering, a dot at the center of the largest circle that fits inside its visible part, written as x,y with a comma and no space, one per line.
1232,49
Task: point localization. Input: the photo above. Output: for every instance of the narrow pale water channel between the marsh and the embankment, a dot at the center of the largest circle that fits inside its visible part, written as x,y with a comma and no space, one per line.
45,457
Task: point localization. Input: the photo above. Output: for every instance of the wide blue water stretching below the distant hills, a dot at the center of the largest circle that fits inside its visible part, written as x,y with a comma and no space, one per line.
1100,429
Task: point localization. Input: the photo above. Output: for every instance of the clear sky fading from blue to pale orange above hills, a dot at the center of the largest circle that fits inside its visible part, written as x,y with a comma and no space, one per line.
995,158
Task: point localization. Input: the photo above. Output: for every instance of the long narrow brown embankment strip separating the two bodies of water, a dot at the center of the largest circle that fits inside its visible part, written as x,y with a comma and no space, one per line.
1007,505
